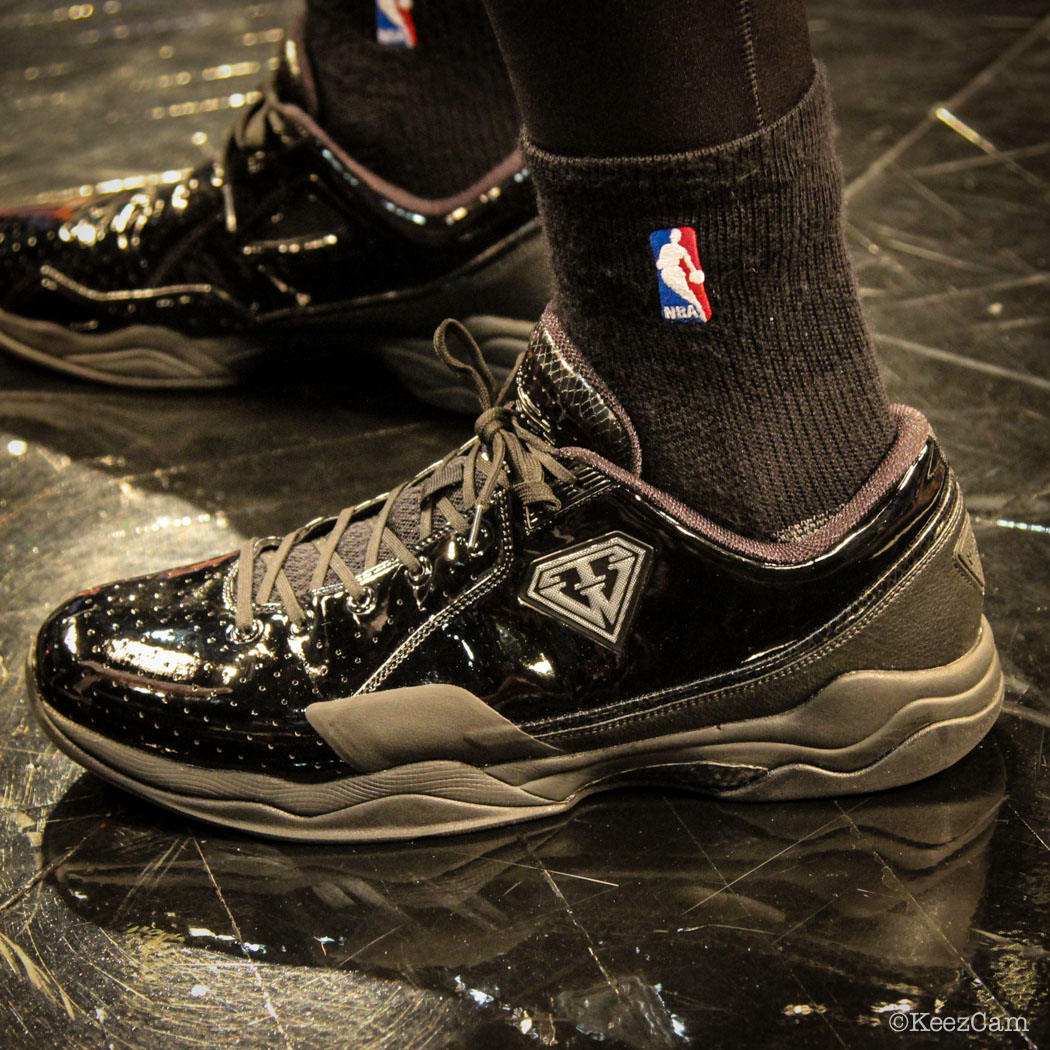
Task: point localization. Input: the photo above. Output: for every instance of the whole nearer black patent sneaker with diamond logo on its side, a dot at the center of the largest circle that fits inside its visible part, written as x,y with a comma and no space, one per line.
528,622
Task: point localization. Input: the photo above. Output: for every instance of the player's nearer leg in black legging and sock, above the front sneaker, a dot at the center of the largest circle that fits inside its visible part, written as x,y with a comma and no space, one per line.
704,114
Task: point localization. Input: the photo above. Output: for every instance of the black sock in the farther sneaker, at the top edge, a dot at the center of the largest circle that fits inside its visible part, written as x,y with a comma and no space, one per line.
432,119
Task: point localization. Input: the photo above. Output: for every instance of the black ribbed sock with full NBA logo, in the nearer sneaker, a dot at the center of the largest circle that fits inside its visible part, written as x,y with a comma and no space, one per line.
770,415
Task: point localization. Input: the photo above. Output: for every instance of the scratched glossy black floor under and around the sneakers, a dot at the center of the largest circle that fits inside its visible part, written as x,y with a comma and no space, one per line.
642,920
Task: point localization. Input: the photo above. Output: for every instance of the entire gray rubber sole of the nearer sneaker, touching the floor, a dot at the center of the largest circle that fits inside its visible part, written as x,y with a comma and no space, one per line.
921,738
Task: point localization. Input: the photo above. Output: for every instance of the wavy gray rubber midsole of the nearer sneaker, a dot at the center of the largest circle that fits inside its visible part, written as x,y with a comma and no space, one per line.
842,732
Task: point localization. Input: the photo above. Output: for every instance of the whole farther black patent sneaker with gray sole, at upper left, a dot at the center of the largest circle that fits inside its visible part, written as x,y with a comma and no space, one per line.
282,246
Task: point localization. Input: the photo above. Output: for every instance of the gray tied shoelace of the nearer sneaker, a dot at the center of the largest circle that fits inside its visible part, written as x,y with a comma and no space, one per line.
505,454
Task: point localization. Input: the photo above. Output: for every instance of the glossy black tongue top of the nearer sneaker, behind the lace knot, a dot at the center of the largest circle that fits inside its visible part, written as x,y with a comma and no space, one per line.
559,396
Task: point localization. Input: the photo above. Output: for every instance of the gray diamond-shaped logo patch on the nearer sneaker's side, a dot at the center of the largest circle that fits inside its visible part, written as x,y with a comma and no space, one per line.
594,587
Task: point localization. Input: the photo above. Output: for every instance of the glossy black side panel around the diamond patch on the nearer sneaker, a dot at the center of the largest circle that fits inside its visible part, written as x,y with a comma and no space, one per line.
708,618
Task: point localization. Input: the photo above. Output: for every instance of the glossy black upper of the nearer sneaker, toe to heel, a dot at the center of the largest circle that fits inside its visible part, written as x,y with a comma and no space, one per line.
154,663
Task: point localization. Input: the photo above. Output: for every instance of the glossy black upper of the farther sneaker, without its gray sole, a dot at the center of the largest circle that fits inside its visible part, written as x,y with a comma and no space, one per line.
313,241
